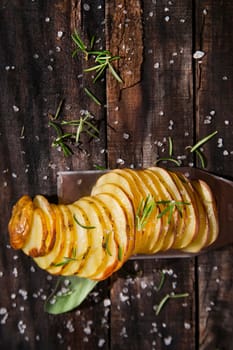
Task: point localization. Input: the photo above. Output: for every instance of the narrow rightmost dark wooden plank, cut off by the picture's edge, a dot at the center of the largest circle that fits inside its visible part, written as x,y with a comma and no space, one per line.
214,112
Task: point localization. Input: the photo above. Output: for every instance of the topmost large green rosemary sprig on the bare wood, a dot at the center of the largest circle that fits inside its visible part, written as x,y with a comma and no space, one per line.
103,58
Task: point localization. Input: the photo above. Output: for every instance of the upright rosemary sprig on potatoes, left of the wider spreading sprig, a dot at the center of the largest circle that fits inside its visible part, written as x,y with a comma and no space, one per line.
144,211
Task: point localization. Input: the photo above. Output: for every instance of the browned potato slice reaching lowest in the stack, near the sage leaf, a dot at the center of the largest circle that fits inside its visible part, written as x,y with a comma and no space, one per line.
110,259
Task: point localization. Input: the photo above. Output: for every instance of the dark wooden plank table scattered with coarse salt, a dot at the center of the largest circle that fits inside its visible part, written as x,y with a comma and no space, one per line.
166,93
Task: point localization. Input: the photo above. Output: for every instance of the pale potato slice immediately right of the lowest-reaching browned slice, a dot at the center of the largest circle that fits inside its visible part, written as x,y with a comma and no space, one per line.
119,222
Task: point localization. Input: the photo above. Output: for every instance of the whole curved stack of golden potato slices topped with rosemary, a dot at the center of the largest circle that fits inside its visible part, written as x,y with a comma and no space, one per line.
128,212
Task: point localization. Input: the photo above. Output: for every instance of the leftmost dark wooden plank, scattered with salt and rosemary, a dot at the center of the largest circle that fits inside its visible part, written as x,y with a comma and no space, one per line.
37,72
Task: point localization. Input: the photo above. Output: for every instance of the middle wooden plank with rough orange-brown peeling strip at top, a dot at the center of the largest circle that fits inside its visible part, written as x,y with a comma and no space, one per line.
155,103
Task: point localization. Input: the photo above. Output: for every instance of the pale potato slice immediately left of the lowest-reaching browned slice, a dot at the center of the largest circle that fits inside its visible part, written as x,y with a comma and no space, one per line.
95,255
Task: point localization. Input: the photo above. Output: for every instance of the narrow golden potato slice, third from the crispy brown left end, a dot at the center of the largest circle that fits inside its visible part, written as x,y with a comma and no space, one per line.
49,215
